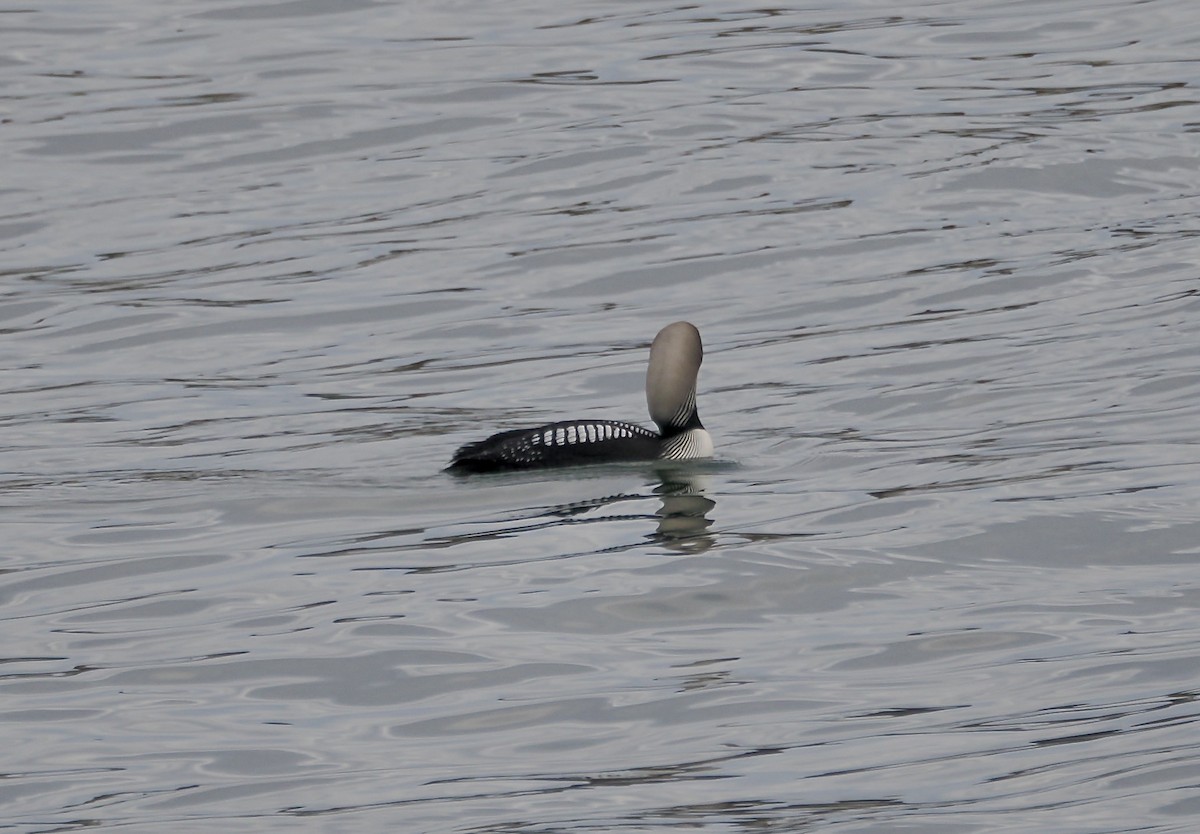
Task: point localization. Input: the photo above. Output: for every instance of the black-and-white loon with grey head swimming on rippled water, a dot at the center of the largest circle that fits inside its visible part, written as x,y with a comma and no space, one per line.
670,394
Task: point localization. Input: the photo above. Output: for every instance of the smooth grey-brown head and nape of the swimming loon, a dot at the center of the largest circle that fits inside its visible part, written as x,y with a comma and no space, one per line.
671,377
